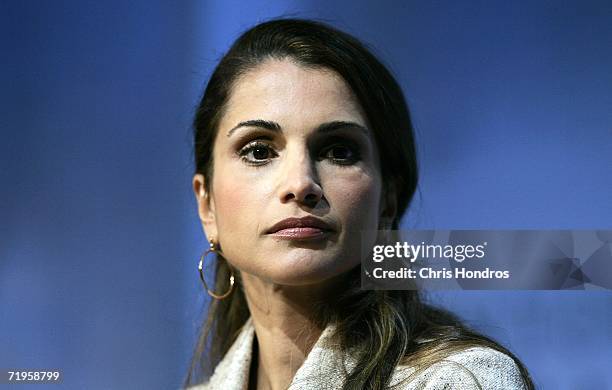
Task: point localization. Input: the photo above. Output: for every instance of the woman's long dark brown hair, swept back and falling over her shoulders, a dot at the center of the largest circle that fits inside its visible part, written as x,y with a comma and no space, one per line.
381,328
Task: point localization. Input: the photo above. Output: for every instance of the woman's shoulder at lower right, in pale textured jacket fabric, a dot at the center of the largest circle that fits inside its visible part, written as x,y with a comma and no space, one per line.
473,368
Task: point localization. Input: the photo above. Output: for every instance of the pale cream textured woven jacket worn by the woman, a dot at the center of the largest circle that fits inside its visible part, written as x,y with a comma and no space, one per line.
325,367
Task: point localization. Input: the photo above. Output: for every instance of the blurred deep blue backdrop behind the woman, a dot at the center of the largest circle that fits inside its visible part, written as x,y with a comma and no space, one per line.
99,235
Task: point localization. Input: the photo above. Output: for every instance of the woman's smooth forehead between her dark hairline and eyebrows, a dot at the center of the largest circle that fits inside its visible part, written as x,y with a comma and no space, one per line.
291,94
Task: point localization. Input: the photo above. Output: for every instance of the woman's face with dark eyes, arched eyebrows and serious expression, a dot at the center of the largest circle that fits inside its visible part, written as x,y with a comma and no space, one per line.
293,142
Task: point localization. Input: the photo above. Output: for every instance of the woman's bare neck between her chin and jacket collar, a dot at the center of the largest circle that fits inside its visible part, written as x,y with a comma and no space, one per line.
286,328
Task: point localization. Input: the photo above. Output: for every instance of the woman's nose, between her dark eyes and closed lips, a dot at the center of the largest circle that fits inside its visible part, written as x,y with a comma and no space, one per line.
299,181
